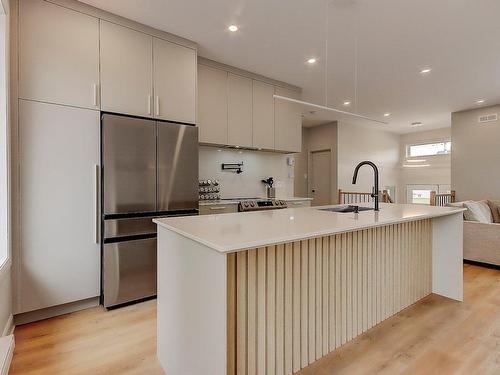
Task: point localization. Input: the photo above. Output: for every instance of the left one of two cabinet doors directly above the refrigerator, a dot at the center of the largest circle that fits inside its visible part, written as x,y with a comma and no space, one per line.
126,70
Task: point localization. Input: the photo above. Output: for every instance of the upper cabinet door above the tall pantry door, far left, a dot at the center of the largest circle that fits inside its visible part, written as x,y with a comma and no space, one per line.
58,55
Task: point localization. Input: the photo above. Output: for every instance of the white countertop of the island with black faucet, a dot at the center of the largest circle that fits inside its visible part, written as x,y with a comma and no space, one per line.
246,230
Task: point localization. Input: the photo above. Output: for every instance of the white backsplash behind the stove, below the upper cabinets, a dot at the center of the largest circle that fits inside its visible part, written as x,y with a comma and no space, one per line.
257,165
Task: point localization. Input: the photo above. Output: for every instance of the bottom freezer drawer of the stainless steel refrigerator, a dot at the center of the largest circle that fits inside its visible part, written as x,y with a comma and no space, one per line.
129,271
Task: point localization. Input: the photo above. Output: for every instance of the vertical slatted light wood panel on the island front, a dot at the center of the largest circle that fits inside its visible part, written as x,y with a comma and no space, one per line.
290,304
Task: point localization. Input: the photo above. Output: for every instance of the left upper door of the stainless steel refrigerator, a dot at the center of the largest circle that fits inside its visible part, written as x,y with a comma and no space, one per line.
129,162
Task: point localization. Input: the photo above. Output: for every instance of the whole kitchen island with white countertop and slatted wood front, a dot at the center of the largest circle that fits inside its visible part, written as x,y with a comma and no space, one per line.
270,292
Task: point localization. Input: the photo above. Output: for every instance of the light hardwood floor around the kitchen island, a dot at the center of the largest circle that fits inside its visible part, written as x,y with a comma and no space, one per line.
434,336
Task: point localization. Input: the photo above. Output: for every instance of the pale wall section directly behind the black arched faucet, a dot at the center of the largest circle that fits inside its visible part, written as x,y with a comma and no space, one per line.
356,144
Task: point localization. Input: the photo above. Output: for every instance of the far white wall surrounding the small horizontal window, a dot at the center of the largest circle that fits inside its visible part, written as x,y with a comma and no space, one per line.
439,171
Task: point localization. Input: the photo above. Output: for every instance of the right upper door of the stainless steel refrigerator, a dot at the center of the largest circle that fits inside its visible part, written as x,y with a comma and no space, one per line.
177,167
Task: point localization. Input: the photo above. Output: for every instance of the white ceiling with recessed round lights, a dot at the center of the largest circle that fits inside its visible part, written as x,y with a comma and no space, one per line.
458,39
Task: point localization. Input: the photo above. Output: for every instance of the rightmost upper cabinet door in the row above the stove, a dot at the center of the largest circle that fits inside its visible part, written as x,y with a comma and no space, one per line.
287,123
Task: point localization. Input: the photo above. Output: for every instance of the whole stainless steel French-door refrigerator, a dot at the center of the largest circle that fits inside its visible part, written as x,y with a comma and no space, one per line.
149,170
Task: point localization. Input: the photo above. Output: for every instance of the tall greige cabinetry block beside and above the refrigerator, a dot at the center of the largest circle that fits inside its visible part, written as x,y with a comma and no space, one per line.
73,62
